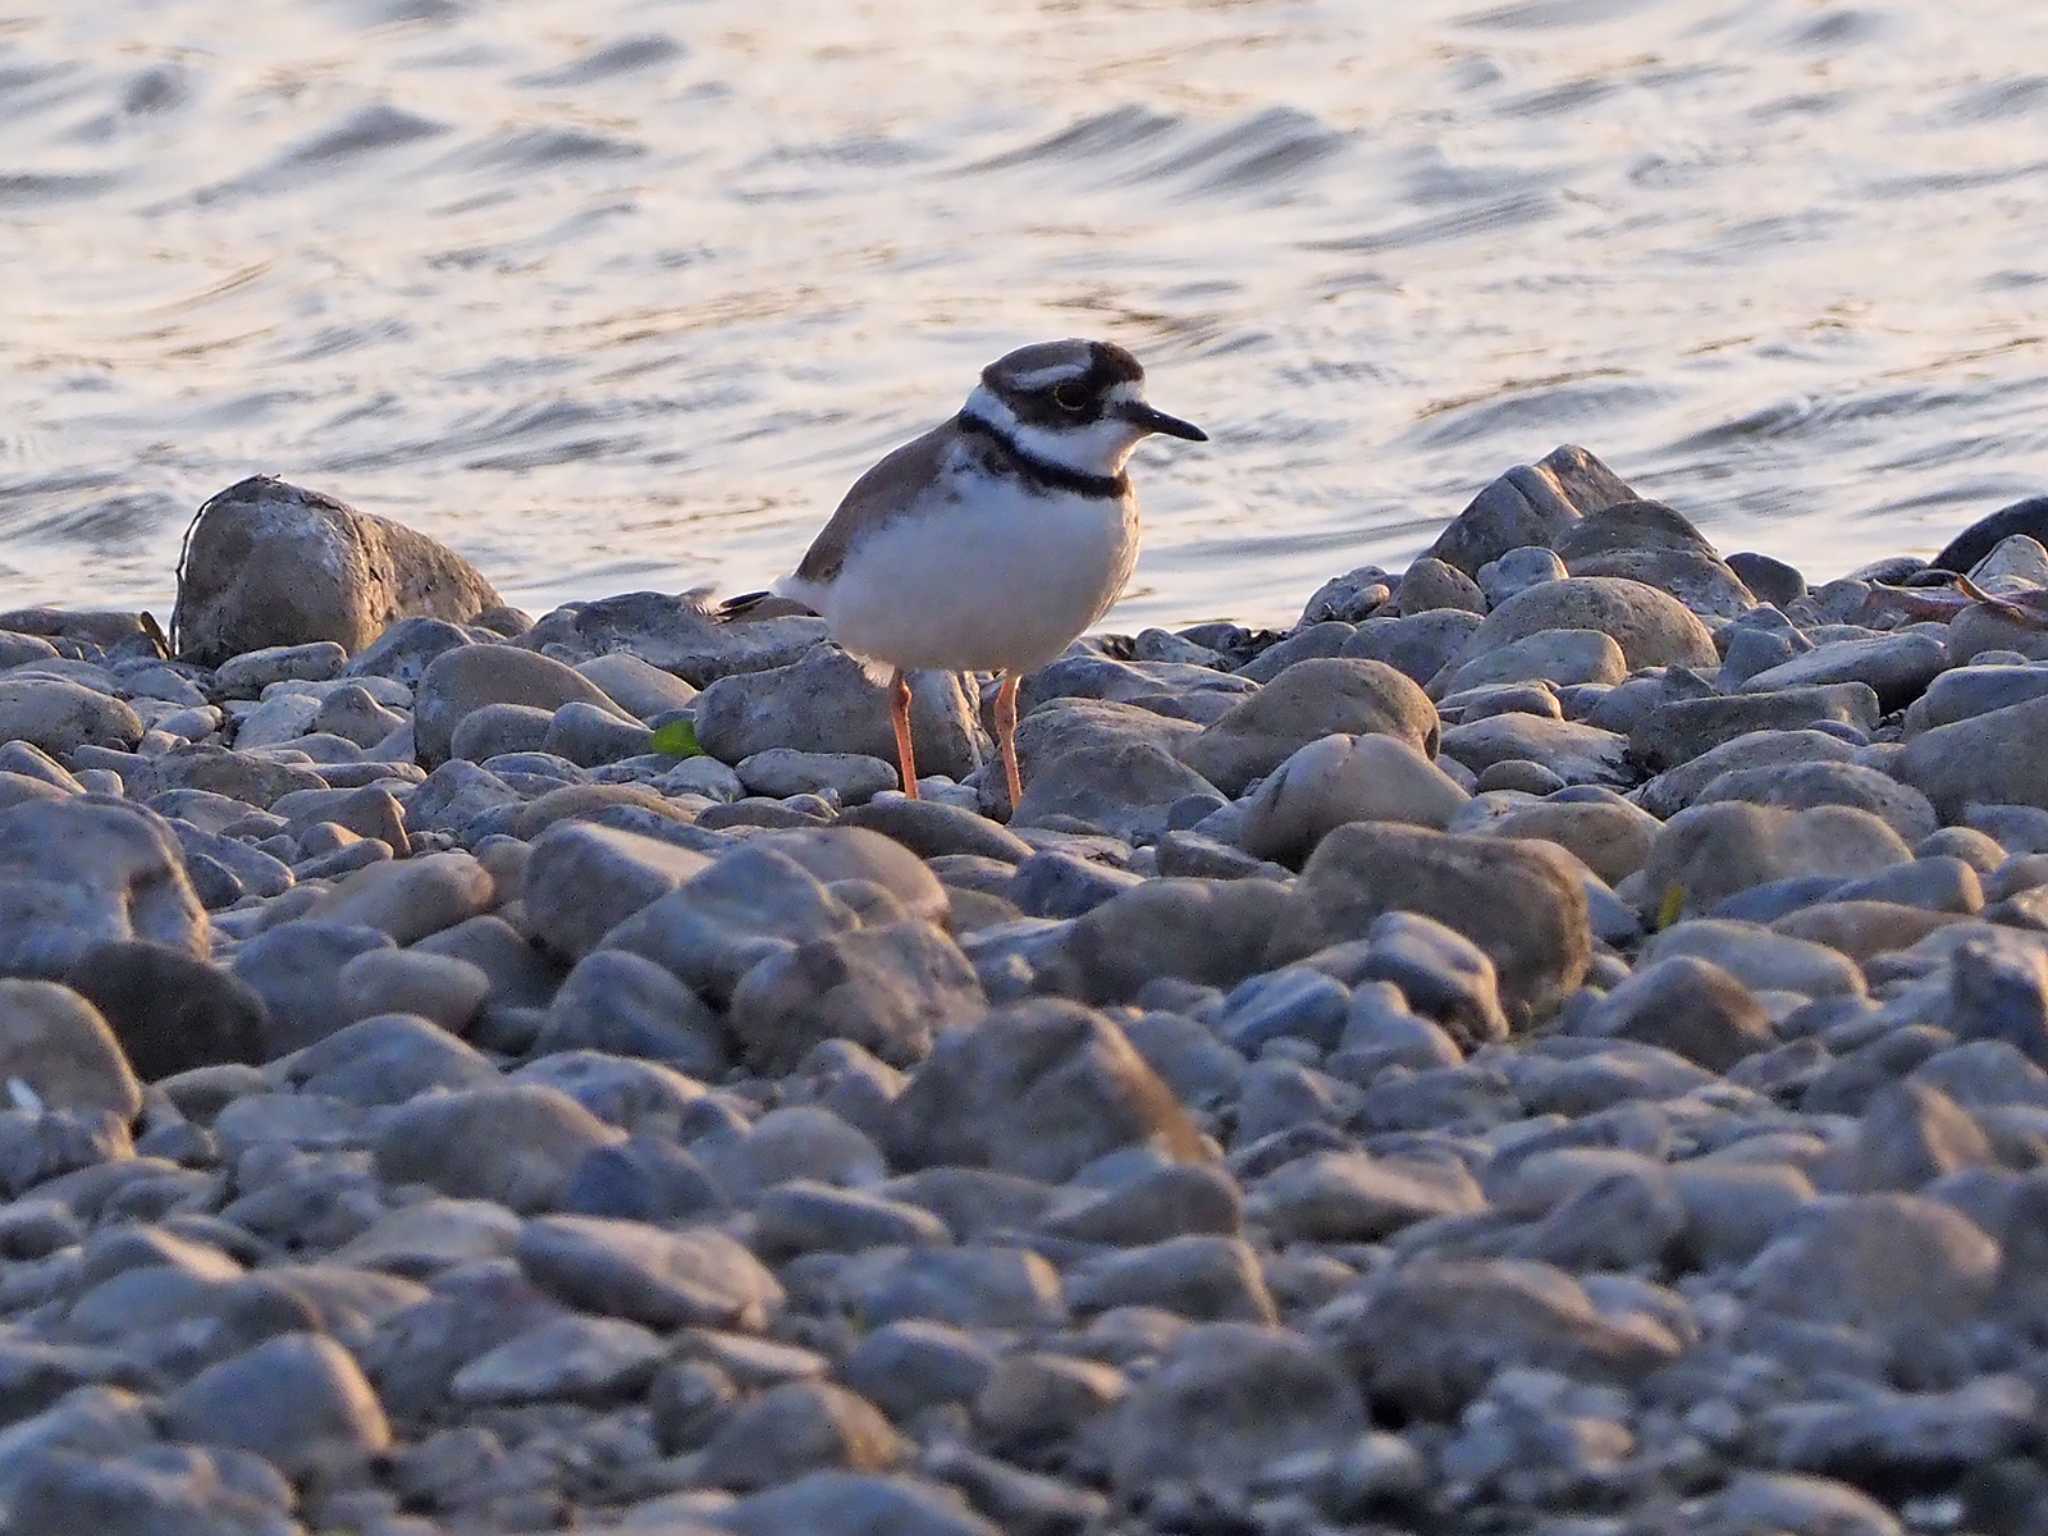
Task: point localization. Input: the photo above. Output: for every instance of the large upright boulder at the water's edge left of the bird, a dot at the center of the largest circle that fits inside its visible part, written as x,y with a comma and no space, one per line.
273,564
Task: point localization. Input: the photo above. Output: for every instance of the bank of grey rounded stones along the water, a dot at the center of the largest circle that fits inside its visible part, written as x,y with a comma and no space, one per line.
1555,1041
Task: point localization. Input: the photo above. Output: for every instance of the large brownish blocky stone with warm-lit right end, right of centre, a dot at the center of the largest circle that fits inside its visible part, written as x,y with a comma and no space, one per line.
1521,902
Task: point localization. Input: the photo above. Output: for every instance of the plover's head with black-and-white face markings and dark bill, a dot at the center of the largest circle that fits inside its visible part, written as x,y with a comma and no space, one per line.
1072,404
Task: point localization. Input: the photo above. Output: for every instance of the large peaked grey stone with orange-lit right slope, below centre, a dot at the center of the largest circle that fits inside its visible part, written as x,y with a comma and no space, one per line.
1037,1091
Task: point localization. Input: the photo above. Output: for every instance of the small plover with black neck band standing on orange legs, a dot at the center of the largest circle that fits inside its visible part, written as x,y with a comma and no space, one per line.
994,540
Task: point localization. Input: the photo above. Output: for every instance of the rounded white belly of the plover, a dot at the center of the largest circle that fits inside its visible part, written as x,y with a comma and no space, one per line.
1002,585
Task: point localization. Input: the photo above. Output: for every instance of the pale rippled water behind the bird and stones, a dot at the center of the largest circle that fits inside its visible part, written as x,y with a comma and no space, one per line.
620,294
